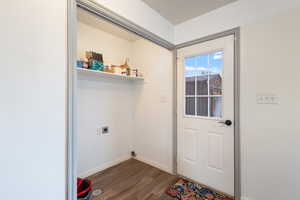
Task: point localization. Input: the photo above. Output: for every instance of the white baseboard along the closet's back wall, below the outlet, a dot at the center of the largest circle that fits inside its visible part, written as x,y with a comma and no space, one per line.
104,166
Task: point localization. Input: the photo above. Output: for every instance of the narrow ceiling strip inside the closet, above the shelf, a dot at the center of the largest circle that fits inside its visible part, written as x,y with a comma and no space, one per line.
96,22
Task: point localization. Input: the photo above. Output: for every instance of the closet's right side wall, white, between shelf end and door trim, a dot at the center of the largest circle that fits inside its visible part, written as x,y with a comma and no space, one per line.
153,112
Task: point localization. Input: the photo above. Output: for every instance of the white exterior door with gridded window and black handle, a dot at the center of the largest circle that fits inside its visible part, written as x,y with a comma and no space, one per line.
206,113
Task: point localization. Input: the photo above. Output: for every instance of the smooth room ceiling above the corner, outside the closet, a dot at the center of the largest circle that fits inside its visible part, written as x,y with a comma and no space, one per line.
178,11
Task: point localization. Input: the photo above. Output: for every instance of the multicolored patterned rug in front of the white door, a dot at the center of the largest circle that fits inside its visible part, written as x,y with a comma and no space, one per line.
186,190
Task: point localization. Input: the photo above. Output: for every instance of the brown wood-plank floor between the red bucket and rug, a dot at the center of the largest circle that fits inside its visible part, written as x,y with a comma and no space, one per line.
132,180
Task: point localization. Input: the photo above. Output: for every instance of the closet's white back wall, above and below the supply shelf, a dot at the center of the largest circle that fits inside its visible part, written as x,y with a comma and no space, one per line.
102,102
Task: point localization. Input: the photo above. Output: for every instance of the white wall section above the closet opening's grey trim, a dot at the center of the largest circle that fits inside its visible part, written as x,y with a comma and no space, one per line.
141,14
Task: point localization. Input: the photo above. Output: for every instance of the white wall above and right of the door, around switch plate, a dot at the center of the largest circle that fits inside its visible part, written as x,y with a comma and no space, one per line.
270,47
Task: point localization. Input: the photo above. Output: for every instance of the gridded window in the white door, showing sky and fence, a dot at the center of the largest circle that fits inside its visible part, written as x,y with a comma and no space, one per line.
203,85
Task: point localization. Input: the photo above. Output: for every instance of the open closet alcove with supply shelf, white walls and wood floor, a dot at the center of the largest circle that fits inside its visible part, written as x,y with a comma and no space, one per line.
123,105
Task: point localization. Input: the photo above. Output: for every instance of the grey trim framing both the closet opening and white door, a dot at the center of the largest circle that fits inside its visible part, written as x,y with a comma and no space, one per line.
110,16
